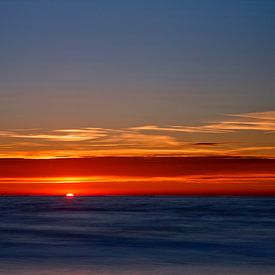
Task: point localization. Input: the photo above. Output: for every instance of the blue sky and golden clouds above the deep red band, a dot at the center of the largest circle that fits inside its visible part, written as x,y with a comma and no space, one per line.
137,78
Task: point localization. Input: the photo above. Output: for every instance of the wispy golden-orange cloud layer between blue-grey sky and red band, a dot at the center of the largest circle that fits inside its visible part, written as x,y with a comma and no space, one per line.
230,137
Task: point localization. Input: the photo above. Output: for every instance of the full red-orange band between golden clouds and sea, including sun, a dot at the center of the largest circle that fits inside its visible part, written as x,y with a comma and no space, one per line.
138,176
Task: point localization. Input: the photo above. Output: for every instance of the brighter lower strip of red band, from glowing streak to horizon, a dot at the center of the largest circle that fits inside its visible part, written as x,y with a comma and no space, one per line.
184,185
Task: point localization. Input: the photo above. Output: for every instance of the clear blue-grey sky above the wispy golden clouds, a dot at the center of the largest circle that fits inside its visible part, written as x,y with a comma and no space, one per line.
122,63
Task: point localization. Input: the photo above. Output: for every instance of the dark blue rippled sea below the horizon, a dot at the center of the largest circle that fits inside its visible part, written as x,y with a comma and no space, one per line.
137,235
